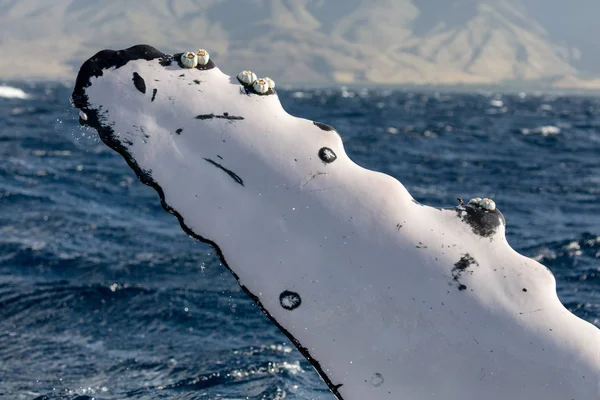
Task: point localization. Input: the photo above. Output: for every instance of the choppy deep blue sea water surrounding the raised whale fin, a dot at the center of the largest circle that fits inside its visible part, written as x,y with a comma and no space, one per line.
103,295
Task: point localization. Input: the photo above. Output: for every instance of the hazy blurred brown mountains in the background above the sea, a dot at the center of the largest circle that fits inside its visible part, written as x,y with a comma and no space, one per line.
545,43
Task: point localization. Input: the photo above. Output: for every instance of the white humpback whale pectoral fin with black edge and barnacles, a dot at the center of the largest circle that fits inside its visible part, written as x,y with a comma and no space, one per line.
340,273
